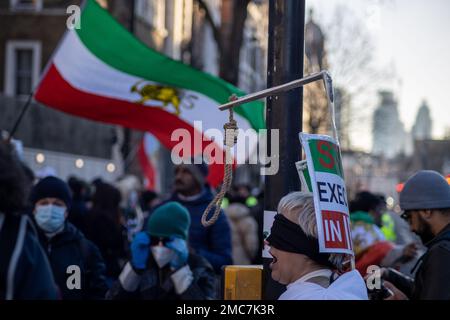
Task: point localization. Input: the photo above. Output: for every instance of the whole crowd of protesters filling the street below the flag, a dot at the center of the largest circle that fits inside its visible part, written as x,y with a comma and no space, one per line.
97,240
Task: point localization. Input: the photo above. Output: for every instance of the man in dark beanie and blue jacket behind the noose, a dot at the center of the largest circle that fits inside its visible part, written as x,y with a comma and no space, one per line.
192,191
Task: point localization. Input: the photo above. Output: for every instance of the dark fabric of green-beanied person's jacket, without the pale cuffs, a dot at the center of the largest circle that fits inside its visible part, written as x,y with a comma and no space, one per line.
156,284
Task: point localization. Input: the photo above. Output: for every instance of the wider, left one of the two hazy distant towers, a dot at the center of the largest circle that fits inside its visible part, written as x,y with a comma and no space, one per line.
388,133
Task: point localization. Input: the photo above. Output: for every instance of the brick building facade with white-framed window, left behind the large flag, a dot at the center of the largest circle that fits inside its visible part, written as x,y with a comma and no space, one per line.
31,30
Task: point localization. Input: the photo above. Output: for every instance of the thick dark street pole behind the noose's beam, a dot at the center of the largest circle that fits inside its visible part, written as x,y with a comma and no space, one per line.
284,111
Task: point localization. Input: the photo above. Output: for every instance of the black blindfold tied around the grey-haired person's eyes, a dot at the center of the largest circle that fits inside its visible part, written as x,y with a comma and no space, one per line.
288,236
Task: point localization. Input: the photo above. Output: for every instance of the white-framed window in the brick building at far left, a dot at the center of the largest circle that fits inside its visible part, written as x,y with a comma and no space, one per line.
23,64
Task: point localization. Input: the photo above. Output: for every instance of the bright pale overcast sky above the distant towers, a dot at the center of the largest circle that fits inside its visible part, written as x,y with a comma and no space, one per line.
412,39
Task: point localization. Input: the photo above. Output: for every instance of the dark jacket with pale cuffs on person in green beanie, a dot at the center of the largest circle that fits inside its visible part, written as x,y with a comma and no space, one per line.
158,284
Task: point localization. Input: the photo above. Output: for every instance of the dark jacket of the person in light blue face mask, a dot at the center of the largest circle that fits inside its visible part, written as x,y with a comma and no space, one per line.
70,247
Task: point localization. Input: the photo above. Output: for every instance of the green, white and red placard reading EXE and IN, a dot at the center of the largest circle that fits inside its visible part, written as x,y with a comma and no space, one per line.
330,197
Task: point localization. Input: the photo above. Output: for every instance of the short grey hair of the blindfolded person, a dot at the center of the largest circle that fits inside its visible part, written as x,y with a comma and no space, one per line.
298,207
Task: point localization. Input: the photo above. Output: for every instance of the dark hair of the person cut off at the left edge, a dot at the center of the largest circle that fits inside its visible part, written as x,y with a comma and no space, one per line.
13,182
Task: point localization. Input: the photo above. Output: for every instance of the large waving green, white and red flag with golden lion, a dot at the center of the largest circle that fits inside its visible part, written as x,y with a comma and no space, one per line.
103,73
